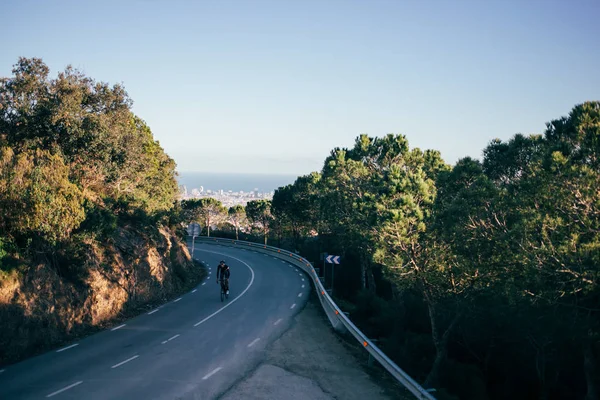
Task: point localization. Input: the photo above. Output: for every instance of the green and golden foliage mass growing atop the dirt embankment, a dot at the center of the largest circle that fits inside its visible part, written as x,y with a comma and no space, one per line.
74,161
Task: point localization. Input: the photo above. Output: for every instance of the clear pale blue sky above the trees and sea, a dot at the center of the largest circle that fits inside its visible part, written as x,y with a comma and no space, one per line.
273,86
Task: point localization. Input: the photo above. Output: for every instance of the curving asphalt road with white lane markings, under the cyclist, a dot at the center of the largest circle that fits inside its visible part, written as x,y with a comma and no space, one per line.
194,347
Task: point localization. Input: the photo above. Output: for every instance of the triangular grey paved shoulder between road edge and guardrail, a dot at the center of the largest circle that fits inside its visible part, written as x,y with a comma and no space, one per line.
309,361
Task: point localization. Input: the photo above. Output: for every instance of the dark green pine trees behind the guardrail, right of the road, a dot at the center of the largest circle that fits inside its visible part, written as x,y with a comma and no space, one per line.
479,279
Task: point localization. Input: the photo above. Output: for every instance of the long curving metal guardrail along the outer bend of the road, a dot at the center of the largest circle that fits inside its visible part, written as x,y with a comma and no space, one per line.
336,316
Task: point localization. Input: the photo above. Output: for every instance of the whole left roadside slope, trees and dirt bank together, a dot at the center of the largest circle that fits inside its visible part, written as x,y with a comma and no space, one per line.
88,210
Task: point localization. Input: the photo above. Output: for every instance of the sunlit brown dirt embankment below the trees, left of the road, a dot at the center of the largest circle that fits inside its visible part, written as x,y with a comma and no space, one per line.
41,308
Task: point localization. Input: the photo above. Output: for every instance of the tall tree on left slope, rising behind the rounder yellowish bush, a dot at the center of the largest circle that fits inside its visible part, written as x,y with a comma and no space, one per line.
109,151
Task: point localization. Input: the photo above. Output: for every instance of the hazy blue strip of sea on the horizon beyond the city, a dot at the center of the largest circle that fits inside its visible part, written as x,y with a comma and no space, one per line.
263,183
